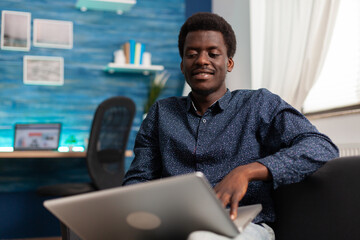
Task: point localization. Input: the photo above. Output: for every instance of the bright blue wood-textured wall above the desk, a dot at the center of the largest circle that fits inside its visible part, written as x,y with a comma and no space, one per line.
97,34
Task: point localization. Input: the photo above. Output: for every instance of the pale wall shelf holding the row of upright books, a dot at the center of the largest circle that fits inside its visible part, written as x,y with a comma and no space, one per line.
132,68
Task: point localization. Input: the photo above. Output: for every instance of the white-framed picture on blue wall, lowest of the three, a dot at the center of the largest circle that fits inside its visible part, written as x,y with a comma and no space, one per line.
43,70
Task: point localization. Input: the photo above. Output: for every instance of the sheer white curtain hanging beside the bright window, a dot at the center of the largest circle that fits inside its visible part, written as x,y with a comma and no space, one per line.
289,41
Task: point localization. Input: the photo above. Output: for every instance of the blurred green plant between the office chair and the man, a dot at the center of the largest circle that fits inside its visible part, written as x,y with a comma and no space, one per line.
156,87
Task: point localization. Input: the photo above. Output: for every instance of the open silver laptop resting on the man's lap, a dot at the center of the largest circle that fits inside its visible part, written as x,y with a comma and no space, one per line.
170,208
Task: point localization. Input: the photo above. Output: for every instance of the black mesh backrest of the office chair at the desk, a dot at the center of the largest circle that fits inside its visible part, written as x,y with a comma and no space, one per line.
108,140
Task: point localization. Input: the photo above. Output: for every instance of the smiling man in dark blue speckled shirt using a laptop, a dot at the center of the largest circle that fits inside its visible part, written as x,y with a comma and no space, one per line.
246,142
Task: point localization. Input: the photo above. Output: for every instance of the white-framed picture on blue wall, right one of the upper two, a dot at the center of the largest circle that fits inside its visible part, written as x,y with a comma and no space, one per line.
53,33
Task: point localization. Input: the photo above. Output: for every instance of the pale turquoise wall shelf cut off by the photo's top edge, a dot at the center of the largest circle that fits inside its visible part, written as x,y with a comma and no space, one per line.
119,6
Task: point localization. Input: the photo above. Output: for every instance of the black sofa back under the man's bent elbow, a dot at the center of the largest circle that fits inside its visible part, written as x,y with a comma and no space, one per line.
326,205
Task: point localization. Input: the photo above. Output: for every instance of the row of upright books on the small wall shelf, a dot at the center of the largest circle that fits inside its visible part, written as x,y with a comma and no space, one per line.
133,52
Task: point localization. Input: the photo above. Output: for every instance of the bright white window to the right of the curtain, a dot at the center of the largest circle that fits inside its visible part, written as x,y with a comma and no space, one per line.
338,85
